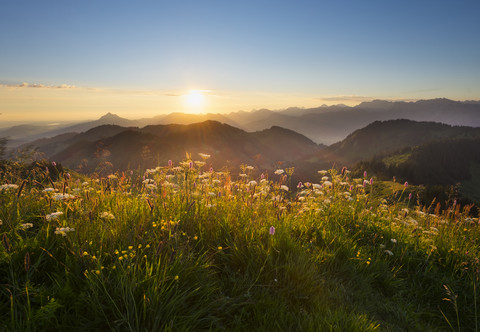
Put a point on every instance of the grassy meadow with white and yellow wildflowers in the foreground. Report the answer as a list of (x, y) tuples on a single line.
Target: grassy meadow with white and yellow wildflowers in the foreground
[(184, 247)]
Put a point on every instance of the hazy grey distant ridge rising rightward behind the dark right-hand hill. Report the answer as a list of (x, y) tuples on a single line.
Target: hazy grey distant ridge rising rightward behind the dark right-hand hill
[(332, 124)]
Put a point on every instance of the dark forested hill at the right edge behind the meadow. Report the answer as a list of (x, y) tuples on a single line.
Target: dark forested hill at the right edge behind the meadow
[(425, 153)]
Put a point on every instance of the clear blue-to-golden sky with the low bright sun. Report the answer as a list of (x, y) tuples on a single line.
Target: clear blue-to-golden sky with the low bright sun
[(74, 60)]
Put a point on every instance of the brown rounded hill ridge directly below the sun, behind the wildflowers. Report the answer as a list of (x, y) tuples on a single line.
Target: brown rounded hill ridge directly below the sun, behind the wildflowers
[(155, 145)]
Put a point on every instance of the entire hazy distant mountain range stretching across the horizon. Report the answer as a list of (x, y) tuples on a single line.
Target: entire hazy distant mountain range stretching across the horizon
[(323, 125)]
